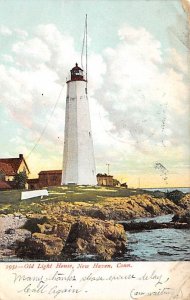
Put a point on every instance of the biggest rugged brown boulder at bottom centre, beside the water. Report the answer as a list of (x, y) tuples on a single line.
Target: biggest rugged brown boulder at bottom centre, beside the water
[(91, 236)]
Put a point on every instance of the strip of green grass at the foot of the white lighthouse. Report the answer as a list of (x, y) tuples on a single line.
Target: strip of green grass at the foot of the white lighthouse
[(10, 201)]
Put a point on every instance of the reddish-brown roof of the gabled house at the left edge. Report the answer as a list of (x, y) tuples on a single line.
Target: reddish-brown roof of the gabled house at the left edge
[(10, 166)]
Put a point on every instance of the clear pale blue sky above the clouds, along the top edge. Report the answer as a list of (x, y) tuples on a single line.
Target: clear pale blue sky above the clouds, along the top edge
[(105, 17)]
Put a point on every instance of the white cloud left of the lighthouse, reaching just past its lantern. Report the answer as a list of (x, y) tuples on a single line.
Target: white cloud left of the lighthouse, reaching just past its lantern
[(31, 86)]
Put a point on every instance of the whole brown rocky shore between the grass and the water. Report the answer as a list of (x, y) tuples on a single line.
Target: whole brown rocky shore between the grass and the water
[(63, 230)]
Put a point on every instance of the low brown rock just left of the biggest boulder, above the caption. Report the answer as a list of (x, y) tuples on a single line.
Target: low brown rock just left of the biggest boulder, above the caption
[(40, 246)]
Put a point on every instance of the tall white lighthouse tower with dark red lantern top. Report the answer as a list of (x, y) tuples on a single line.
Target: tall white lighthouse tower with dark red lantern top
[(78, 156)]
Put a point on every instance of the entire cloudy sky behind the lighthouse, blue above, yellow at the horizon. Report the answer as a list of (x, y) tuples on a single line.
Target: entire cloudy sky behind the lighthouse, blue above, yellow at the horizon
[(138, 84)]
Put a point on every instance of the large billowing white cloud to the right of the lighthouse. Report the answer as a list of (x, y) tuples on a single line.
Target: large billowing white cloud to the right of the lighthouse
[(144, 92)]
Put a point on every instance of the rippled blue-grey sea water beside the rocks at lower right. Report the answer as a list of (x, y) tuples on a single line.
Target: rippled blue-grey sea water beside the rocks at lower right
[(159, 244)]
